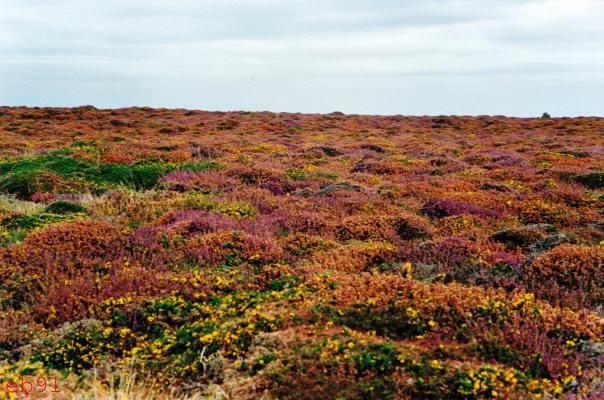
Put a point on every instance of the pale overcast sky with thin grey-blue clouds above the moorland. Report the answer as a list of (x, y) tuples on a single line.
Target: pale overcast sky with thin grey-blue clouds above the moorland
[(416, 57)]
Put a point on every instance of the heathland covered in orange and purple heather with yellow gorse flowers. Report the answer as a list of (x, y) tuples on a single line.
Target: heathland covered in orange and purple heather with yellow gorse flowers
[(303, 256)]
